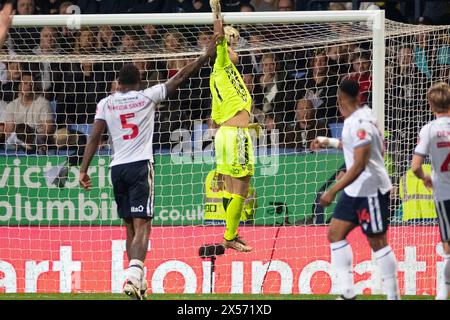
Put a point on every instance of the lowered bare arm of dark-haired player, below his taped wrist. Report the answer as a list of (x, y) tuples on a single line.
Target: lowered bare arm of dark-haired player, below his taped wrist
[(361, 157)]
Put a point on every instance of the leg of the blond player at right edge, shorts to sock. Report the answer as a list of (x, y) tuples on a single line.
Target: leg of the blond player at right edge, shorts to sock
[(443, 212)]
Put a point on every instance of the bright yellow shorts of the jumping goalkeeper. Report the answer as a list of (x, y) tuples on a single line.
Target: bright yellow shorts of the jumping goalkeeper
[(234, 152)]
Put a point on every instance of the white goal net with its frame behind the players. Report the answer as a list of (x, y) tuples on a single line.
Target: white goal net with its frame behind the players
[(56, 237)]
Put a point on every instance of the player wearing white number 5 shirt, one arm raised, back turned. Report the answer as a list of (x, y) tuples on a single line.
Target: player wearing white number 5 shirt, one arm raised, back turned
[(129, 115)]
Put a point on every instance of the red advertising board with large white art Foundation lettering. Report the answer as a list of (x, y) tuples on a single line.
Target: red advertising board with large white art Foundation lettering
[(92, 259)]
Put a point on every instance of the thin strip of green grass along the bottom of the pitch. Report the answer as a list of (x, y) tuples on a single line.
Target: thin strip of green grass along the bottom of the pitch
[(109, 296)]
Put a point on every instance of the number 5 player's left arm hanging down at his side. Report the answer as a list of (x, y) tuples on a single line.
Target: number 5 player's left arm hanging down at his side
[(91, 148)]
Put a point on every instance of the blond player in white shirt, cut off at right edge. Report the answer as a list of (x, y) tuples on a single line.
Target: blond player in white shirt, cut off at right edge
[(434, 141)]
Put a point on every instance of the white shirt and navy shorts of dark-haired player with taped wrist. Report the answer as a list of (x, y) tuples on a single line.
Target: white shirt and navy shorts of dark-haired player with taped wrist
[(365, 201)]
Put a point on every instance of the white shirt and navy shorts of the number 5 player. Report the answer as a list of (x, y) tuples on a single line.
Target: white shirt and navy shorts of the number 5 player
[(129, 117)]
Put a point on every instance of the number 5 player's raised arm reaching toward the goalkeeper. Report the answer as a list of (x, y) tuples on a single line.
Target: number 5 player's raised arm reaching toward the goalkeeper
[(173, 83)]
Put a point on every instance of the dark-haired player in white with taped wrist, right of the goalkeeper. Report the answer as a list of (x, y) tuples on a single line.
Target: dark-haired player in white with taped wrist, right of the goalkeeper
[(365, 197)]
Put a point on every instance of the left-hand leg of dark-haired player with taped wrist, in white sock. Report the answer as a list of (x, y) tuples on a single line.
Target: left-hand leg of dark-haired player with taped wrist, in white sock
[(341, 252)]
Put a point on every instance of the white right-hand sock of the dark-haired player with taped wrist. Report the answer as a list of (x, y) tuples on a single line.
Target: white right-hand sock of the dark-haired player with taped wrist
[(388, 266)]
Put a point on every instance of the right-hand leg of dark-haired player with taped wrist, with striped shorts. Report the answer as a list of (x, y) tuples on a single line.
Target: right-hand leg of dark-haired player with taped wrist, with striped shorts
[(375, 227)]
